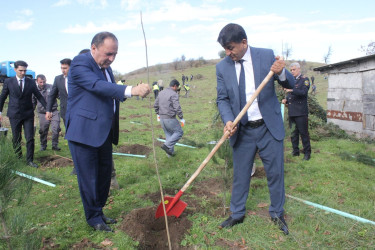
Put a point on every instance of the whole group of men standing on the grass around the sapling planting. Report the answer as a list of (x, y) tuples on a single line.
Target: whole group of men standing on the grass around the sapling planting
[(90, 103)]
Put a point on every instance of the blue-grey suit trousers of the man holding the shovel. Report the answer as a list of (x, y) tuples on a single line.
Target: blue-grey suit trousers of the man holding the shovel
[(249, 141)]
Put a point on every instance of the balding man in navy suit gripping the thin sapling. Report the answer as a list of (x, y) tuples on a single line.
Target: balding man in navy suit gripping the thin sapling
[(92, 123)]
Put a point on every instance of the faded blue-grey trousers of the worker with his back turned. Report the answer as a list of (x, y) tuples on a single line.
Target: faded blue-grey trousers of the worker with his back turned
[(173, 132)]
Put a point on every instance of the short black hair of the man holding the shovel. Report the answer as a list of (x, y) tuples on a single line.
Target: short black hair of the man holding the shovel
[(231, 33)]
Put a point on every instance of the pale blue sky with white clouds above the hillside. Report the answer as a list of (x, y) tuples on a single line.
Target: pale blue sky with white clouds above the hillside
[(44, 32)]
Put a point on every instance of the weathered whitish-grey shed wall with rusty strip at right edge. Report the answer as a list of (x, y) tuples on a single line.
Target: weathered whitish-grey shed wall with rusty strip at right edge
[(351, 98)]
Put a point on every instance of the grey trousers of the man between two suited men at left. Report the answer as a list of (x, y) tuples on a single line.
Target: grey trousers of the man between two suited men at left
[(44, 125)]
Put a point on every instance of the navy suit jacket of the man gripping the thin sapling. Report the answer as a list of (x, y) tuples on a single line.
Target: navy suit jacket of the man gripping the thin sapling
[(90, 115)]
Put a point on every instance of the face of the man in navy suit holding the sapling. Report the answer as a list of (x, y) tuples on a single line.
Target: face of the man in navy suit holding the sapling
[(106, 53)]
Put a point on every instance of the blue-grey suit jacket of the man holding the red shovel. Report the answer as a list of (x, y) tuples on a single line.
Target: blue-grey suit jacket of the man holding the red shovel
[(228, 99)]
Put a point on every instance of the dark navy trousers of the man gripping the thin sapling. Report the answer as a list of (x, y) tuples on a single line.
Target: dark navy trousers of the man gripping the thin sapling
[(94, 167)]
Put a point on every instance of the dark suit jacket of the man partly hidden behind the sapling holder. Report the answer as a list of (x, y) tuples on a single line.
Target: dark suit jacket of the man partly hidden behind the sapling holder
[(58, 90)]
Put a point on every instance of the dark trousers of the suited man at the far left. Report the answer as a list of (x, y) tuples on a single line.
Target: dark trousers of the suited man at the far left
[(28, 127)]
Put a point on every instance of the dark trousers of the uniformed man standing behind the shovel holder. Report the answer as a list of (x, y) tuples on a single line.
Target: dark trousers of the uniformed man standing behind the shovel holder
[(301, 128)]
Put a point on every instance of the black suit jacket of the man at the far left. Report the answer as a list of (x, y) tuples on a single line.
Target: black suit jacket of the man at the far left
[(20, 104)]
